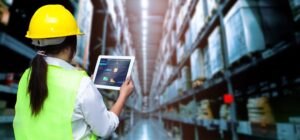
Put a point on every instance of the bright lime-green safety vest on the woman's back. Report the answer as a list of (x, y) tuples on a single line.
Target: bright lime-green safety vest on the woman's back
[(54, 122)]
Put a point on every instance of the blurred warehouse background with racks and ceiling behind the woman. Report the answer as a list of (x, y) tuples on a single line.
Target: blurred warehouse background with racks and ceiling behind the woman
[(205, 69)]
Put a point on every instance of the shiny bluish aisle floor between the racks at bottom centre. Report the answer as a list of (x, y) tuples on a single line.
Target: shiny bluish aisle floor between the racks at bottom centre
[(147, 129)]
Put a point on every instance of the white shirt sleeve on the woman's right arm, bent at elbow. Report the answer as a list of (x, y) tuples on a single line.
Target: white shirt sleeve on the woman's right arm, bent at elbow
[(101, 121)]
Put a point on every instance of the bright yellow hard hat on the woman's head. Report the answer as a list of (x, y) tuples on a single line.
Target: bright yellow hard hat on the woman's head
[(51, 21)]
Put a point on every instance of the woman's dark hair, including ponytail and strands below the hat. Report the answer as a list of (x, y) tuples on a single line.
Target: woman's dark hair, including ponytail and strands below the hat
[(37, 88)]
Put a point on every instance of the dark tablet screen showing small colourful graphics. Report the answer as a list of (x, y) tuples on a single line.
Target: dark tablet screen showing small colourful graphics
[(112, 72)]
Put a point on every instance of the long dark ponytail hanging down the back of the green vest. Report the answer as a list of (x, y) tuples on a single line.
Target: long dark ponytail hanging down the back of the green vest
[(37, 88)]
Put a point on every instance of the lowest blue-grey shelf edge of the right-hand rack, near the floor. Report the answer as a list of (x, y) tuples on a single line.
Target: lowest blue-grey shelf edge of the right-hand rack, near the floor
[(270, 131)]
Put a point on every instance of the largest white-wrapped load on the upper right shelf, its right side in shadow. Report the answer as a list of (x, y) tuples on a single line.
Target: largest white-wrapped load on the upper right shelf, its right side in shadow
[(252, 25)]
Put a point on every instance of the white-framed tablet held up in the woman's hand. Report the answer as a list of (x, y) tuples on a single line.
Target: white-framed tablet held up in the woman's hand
[(111, 71)]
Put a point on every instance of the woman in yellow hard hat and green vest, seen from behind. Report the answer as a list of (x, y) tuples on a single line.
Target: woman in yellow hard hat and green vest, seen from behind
[(55, 101)]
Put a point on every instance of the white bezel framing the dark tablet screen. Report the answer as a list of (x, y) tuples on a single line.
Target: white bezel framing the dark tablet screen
[(131, 58)]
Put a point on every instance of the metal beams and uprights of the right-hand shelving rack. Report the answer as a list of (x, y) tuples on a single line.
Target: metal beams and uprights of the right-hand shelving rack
[(234, 126)]
